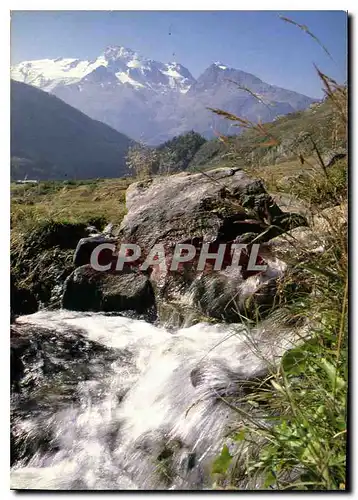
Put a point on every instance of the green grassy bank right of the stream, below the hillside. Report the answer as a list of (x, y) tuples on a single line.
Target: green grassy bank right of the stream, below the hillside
[(301, 443)]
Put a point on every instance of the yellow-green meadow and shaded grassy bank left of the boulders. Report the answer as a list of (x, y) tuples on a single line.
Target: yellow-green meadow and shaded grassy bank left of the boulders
[(47, 221)]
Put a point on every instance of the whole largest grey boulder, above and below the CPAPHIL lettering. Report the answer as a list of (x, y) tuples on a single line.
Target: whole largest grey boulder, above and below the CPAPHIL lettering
[(215, 207)]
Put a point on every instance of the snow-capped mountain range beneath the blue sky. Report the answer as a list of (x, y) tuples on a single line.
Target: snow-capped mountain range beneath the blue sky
[(153, 101)]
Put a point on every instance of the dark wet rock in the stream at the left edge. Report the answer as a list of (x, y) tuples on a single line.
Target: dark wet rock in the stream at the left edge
[(46, 368)]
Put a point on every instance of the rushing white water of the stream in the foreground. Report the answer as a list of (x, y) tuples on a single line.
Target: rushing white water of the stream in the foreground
[(155, 420)]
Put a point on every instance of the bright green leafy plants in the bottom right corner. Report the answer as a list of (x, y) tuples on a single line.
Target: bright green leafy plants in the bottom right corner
[(306, 448)]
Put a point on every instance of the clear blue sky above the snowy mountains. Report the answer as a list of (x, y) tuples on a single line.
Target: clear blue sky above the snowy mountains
[(254, 41)]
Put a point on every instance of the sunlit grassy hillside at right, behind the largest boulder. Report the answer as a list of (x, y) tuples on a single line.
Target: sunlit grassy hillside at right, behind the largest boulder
[(281, 140)]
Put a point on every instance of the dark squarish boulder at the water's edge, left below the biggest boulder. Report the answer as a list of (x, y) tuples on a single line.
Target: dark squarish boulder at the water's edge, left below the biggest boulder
[(89, 290)]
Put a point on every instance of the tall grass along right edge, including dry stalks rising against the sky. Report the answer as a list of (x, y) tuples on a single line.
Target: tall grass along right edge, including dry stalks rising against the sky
[(303, 401)]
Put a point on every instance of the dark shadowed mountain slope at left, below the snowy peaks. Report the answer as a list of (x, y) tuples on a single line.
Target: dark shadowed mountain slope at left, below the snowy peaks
[(52, 140)]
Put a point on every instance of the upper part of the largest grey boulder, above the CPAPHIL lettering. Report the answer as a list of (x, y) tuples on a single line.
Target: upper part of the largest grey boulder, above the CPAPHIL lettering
[(219, 204)]
